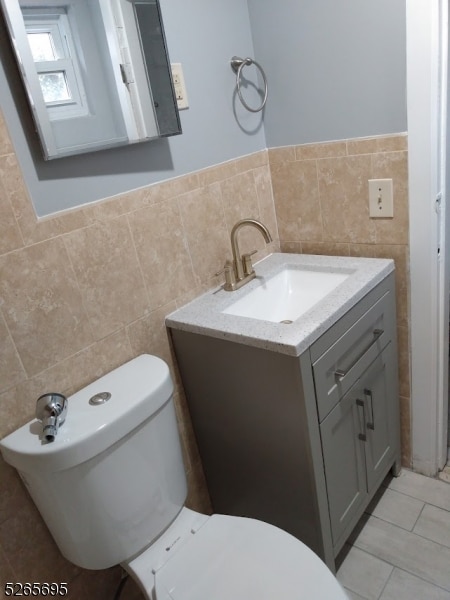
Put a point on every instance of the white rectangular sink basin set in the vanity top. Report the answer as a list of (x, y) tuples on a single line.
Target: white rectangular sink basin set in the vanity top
[(286, 296)]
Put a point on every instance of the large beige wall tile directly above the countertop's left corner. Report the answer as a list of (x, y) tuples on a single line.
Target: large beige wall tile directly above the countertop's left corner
[(163, 253)]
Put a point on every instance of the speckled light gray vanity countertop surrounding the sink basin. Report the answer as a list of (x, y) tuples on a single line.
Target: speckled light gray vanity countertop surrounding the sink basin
[(204, 314)]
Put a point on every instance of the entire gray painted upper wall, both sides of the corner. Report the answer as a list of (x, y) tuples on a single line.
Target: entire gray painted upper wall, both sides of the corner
[(336, 70)]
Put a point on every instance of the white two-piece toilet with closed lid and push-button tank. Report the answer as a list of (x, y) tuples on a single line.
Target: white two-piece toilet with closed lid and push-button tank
[(111, 488)]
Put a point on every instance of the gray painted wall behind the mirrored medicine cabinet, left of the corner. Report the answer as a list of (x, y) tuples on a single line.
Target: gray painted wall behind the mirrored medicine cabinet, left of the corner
[(203, 36)]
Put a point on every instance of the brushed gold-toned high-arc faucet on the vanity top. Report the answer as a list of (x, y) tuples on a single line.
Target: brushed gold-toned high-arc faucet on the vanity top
[(240, 271)]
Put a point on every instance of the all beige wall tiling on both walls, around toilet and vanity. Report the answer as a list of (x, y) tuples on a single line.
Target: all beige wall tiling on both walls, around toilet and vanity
[(84, 291)]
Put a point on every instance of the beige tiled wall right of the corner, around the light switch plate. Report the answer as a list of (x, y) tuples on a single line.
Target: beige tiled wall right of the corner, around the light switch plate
[(321, 199)]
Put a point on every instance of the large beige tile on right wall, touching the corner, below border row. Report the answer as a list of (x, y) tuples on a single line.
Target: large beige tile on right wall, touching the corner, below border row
[(296, 193)]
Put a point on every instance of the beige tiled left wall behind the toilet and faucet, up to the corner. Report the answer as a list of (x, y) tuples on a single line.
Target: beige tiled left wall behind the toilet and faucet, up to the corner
[(85, 291)]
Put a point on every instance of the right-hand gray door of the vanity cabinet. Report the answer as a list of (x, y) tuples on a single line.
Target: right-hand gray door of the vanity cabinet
[(376, 389)]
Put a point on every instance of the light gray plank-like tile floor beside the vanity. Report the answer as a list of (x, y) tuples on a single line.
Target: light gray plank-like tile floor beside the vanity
[(401, 549)]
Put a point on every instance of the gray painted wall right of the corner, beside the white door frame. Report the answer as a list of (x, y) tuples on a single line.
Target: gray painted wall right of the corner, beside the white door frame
[(336, 69)]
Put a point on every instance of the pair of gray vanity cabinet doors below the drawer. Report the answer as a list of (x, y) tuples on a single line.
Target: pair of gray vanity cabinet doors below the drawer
[(359, 443)]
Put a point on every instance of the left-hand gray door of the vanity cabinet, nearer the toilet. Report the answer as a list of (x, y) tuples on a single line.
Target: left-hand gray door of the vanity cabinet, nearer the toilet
[(343, 456)]
